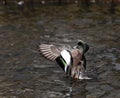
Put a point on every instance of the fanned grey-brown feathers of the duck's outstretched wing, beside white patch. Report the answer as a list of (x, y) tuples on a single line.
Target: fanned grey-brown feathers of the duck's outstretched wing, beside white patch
[(51, 52)]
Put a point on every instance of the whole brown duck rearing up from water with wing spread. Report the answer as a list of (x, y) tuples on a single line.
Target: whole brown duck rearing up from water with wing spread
[(71, 59)]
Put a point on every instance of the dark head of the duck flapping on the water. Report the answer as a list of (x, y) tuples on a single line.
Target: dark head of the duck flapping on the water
[(82, 46)]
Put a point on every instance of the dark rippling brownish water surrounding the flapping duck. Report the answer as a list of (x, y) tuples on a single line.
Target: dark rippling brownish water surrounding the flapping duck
[(24, 73)]
